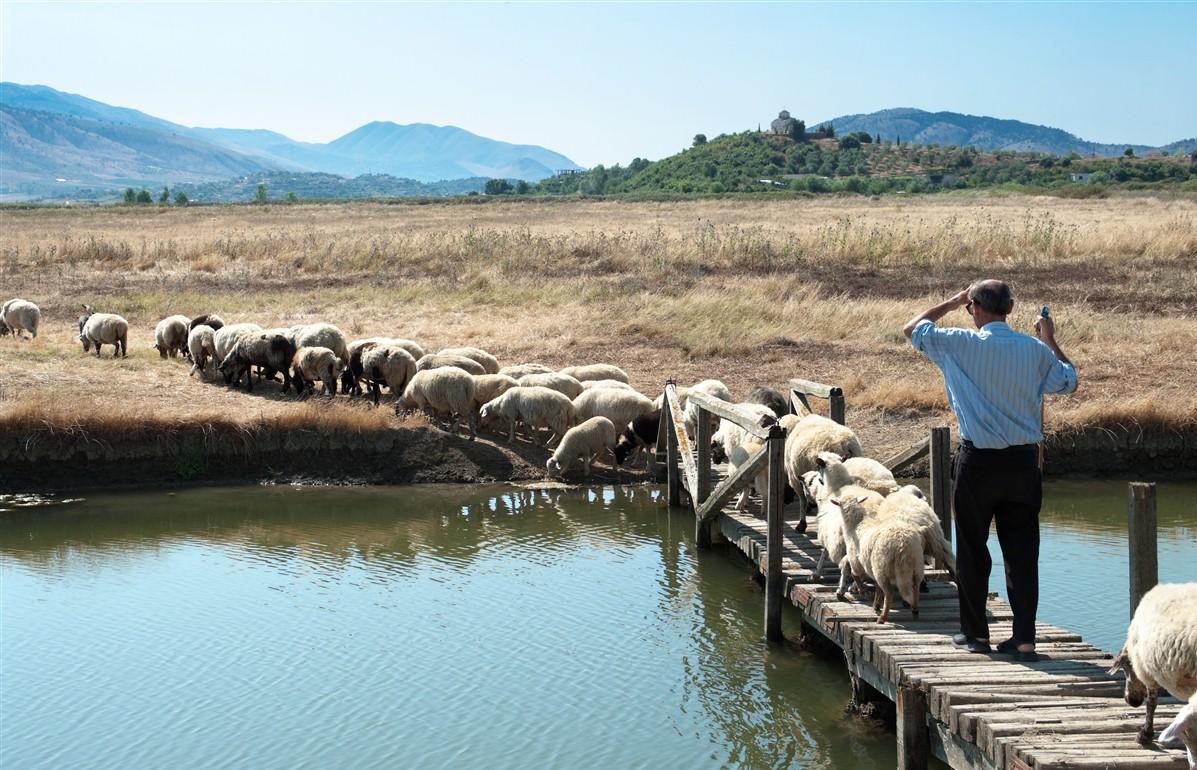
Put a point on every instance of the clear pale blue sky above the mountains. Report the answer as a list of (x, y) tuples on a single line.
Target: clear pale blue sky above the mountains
[(612, 82)]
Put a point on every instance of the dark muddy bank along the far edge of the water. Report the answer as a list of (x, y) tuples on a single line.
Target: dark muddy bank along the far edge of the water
[(72, 460)]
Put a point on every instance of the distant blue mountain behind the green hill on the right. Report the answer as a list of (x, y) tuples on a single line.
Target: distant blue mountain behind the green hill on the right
[(986, 134)]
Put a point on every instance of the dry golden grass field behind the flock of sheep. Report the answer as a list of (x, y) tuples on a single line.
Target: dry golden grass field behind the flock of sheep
[(750, 293)]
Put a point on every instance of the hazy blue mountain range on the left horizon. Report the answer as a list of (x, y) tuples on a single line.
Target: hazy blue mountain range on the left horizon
[(56, 141)]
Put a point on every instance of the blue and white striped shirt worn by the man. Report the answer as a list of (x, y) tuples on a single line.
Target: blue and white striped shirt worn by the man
[(997, 379)]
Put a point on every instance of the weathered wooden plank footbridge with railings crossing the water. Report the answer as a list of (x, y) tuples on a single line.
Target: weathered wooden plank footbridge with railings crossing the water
[(970, 711)]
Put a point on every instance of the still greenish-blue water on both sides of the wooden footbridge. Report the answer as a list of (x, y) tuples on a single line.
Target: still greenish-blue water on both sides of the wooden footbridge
[(446, 627)]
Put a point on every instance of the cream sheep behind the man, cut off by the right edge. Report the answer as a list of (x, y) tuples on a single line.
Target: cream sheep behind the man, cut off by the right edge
[(1160, 650)]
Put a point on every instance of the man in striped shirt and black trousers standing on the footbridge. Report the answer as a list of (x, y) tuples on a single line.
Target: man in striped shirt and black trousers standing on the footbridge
[(997, 379)]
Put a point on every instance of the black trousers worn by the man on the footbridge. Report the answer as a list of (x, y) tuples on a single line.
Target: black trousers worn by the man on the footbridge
[(1004, 487)]
